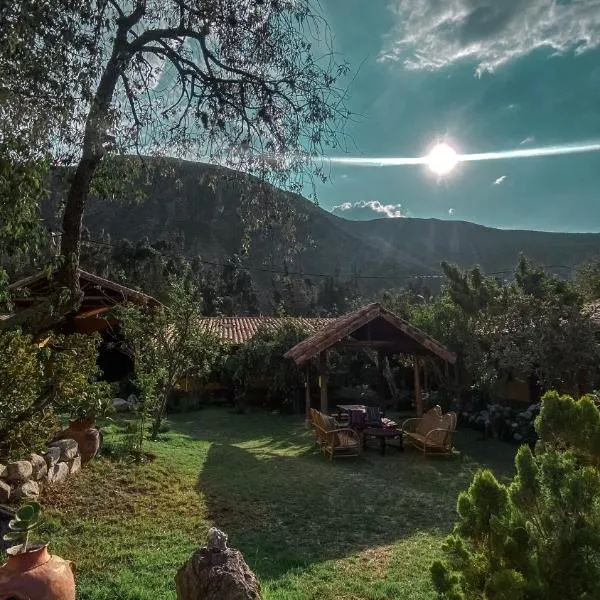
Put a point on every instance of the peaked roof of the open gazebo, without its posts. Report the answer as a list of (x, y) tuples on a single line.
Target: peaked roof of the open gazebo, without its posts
[(371, 326)]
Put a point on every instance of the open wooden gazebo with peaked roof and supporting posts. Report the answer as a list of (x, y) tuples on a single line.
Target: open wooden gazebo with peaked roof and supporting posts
[(371, 327)]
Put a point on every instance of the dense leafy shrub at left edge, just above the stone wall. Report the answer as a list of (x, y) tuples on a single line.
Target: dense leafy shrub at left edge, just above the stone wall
[(38, 384)]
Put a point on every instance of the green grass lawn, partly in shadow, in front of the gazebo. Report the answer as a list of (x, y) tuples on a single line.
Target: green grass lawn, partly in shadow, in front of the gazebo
[(364, 528)]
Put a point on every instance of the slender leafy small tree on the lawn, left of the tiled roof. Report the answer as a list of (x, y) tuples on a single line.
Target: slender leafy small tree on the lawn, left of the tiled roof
[(169, 345)]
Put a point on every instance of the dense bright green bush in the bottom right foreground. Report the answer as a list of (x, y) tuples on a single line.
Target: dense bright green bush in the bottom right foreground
[(539, 536)]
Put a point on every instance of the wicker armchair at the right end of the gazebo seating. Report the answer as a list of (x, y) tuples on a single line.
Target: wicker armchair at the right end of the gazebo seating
[(431, 433)]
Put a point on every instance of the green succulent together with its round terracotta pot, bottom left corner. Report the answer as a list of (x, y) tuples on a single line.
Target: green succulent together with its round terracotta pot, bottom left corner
[(31, 571)]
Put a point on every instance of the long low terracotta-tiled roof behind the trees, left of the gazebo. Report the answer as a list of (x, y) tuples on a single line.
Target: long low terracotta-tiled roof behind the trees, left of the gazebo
[(238, 330)]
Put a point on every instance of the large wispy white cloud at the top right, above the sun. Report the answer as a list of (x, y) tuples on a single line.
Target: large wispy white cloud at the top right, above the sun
[(431, 34)]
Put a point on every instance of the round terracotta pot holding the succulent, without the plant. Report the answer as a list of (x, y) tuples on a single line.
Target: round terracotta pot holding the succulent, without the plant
[(36, 574)]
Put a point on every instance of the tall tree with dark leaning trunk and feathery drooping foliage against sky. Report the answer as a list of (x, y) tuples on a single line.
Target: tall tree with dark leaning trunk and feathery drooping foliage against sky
[(253, 85)]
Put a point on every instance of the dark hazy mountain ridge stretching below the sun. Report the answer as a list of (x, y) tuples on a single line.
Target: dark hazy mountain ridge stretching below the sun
[(211, 212)]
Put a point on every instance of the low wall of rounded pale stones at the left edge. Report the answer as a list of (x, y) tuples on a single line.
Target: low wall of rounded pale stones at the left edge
[(23, 480)]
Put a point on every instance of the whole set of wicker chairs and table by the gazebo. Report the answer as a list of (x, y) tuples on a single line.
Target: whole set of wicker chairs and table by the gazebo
[(347, 433)]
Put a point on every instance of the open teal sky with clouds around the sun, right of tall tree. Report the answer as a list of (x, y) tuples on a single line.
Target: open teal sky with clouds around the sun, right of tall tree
[(482, 76)]
